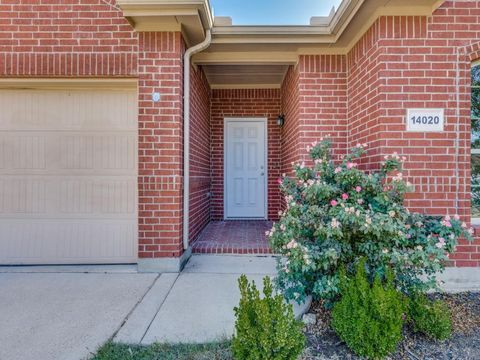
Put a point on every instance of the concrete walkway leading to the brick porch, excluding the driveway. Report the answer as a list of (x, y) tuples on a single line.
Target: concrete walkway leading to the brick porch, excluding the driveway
[(195, 306)]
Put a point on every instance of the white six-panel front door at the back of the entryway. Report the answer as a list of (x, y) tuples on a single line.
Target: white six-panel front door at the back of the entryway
[(245, 168)]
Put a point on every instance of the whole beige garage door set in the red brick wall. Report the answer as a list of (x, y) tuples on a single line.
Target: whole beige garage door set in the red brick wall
[(68, 169)]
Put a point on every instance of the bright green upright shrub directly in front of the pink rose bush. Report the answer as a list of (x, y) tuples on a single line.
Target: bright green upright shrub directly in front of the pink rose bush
[(369, 318)]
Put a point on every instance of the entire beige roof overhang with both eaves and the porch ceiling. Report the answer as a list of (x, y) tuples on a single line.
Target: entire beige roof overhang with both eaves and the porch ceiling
[(256, 46)]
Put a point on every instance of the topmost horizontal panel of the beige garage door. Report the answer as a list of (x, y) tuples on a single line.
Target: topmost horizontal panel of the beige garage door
[(86, 109)]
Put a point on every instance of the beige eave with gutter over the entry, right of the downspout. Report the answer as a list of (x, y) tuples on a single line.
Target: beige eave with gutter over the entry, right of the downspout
[(336, 34)]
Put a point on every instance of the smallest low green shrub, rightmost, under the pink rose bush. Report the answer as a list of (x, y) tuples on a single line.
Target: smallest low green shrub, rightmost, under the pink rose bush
[(432, 318)]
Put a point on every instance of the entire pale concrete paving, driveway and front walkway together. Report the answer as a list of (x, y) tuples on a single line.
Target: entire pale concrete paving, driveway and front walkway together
[(67, 312)]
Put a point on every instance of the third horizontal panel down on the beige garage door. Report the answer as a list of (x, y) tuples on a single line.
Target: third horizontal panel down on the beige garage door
[(68, 196)]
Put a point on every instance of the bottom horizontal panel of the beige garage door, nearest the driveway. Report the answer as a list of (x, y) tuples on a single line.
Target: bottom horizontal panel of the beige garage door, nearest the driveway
[(63, 242)]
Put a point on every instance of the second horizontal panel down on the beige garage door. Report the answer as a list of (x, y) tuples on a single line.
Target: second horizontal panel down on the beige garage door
[(67, 152)]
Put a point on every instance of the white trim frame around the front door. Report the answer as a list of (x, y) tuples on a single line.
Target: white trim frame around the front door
[(265, 178)]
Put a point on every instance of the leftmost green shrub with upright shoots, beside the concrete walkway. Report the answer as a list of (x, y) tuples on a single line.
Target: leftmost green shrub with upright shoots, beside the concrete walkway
[(266, 328)]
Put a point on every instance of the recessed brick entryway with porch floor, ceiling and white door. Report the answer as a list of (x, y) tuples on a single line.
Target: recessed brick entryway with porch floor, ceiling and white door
[(236, 157)]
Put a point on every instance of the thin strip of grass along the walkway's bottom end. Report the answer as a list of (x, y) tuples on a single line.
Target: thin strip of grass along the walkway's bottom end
[(213, 351)]
